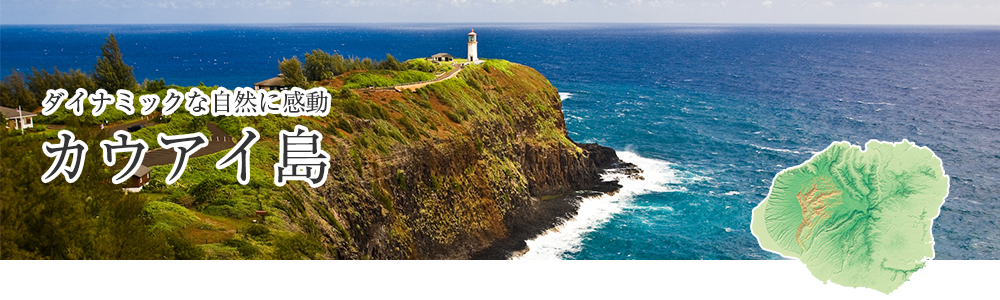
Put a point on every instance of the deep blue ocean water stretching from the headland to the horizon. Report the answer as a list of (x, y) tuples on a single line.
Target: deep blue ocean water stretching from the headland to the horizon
[(712, 112)]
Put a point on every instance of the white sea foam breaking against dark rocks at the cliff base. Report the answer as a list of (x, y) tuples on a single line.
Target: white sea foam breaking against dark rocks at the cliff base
[(658, 177)]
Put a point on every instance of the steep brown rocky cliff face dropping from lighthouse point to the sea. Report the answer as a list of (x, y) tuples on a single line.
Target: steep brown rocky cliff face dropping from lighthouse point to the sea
[(448, 171)]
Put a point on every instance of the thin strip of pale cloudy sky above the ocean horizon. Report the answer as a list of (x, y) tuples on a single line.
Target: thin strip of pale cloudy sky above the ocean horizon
[(920, 12)]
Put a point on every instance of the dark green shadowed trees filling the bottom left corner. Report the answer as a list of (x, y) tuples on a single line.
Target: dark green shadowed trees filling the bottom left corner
[(88, 219)]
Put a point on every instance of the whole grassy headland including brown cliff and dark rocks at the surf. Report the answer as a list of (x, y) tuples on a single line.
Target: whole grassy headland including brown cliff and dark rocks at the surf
[(440, 173)]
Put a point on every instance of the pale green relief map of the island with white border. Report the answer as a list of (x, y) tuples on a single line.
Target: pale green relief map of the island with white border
[(857, 218)]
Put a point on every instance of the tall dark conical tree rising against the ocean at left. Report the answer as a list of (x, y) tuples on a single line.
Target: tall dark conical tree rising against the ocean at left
[(111, 73)]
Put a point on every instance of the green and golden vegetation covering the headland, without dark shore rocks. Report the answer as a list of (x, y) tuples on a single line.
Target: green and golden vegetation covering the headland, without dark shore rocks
[(378, 141)]
